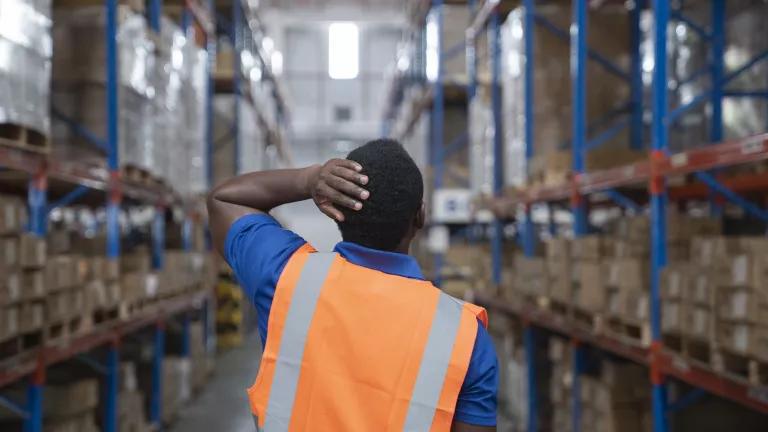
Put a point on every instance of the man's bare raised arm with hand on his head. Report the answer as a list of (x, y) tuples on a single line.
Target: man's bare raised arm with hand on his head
[(334, 183)]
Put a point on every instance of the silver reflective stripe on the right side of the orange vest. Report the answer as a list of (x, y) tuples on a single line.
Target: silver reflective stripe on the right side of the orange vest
[(434, 365)]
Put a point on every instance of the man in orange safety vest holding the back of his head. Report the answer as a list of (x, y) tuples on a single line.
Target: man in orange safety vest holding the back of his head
[(355, 340)]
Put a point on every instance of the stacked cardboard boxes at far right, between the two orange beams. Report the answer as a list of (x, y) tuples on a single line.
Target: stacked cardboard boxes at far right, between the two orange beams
[(718, 300)]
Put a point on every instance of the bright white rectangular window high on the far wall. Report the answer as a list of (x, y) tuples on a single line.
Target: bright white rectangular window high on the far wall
[(343, 51)]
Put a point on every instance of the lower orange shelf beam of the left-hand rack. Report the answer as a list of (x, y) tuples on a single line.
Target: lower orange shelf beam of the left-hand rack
[(17, 368)]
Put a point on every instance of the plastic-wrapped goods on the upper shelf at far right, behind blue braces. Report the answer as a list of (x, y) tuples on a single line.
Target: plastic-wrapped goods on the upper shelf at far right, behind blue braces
[(688, 54)]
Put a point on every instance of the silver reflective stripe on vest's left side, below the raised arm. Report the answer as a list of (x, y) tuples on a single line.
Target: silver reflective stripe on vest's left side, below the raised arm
[(297, 322)]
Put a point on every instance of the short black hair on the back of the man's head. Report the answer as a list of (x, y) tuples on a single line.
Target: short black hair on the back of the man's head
[(397, 191)]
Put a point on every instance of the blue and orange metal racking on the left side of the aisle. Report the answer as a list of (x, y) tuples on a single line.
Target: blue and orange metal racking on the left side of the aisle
[(72, 180)]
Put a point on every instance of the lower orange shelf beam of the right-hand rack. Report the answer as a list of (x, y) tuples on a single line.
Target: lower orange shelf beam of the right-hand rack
[(739, 391)]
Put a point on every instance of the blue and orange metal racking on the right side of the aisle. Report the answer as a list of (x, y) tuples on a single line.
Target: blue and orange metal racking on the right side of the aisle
[(649, 176)]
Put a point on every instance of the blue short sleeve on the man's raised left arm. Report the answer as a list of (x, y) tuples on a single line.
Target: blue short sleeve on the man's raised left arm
[(258, 248)]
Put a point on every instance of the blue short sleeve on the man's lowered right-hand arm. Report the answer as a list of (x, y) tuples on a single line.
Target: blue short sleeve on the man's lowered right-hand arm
[(477, 399)]
